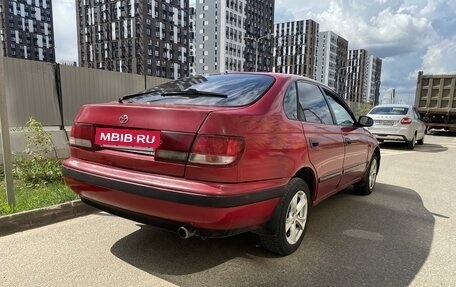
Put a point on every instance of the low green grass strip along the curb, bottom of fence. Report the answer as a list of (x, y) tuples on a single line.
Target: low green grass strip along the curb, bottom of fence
[(30, 197)]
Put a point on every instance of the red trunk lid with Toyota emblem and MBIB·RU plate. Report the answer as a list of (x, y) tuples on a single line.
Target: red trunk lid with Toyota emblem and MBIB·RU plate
[(142, 137)]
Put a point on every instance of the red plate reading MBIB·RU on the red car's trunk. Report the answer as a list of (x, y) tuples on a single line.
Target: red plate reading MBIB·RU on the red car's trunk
[(127, 138)]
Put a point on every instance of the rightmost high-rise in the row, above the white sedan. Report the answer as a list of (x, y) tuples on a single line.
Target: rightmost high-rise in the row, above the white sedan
[(363, 77)]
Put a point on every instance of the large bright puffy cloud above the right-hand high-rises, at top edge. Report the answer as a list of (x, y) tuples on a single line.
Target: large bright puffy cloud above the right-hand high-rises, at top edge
[(383, 29)]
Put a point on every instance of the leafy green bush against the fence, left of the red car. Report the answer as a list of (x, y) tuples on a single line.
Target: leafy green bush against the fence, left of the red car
[(40, 164)]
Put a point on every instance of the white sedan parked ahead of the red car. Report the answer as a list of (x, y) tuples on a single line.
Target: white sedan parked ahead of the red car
[(397, 123)]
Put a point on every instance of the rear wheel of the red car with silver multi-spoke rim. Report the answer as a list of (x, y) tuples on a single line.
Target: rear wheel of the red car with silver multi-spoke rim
[(290, 219)]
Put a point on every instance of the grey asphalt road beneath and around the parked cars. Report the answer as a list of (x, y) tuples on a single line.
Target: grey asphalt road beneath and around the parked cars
[(401, 235)]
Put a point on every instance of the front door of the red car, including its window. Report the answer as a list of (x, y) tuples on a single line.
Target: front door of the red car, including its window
[(355, 142)]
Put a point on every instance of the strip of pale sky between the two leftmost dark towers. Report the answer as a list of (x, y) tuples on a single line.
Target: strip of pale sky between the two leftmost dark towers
[(64, 13)]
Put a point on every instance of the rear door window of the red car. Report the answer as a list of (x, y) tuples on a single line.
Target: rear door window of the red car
[(313, 107)]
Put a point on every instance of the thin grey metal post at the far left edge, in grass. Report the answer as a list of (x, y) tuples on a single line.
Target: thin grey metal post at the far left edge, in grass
[(5, 139)]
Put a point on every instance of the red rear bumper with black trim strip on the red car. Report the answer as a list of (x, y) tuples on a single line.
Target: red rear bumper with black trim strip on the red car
[(152, 199)]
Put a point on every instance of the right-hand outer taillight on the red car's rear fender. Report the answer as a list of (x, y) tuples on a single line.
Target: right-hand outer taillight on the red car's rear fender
[(216, 150)]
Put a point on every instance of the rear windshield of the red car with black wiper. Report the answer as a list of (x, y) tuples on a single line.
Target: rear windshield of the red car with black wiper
[(211, 90)]
